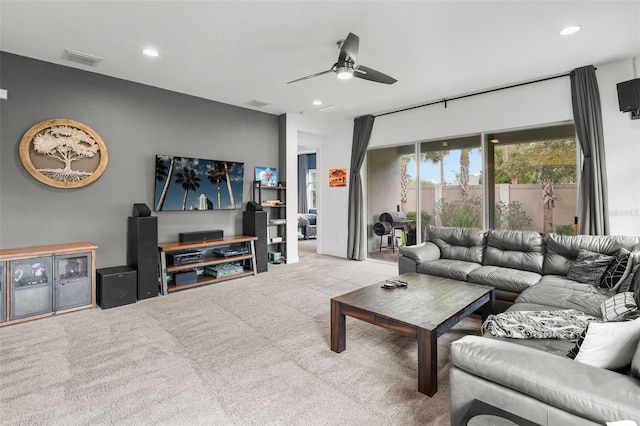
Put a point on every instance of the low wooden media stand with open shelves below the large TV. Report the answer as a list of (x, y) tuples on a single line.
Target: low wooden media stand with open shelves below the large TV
[(248, 261)]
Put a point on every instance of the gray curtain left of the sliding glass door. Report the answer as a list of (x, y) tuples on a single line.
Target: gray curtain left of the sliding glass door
[(356, 242)]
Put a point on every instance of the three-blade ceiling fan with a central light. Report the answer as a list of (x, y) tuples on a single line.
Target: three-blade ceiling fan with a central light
[(346, 68)]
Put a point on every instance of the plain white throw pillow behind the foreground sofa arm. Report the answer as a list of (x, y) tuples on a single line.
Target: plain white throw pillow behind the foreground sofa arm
[(610, 345)]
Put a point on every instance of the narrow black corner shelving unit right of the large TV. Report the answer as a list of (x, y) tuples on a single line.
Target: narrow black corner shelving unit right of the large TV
[(275, 206)]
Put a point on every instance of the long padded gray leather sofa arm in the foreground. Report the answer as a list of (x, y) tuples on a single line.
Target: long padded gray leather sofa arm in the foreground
[(594, 393)]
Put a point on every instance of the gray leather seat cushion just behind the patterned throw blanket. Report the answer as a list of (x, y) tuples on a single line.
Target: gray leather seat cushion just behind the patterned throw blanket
[(559, 292)]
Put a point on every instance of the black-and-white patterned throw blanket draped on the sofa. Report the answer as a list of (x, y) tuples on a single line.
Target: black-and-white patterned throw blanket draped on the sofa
[(563, 324)]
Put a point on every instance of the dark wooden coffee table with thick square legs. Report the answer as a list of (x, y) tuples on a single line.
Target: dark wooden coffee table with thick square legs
[(426, 309)]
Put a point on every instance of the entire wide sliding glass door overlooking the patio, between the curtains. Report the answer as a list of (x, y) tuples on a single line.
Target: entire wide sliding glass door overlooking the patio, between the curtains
[(519, 180)]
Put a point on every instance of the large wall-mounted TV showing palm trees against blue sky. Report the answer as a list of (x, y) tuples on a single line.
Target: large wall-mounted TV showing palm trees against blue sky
[(184, 183)]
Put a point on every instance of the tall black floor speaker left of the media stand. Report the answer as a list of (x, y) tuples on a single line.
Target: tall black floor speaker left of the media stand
[(142, 253)]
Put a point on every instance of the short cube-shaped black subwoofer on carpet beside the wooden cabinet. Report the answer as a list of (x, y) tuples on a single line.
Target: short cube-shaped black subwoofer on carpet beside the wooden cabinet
[(115, 286)]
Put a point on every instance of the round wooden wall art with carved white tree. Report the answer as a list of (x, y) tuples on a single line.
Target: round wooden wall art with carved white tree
[(63, 153)]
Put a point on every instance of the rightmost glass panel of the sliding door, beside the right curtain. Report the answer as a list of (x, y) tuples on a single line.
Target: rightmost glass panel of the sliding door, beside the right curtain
[(534, 179)]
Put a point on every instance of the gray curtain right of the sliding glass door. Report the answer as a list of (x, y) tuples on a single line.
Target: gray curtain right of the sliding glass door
[(593, 208)]
